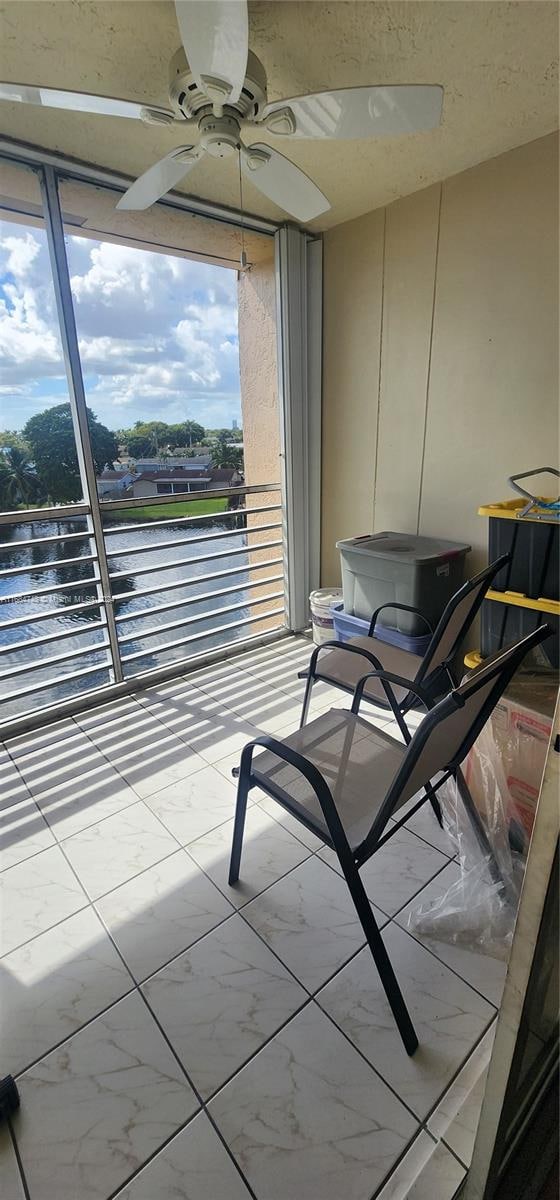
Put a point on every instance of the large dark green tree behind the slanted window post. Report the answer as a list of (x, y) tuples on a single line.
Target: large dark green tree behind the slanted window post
[(51, 436)]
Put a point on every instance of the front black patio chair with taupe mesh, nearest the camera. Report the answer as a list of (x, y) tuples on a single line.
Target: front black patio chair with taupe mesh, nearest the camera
[(344, 779)]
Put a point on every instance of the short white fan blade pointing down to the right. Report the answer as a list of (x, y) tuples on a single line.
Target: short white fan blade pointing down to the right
[(284, 183)]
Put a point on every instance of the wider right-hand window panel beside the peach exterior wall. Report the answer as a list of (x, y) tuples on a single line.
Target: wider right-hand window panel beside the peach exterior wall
[(179, 361)]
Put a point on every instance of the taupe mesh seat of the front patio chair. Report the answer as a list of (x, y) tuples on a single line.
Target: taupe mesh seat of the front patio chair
[(357, 760)]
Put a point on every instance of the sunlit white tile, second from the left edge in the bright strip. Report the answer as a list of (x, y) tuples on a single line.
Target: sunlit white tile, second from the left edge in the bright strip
[(118, 849)]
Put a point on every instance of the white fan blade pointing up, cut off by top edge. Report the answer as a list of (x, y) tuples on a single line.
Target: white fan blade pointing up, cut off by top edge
[(216, 39)]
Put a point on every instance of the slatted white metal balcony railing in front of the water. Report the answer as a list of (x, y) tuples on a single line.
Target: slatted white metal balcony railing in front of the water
[(220, 578)]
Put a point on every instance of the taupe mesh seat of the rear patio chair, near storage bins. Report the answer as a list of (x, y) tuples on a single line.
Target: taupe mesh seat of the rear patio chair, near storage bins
[(346, 670)]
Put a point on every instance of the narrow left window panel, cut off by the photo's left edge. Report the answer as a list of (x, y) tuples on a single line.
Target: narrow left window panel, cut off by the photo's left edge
[(49, 604)]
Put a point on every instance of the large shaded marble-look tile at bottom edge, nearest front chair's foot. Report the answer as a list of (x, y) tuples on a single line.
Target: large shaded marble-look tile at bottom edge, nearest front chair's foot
[(309, 1118)]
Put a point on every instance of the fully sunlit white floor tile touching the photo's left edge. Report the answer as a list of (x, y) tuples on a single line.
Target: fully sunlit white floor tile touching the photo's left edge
[(37, 895)]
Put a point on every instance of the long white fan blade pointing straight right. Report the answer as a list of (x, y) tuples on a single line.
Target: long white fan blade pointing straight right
[(358, 112)]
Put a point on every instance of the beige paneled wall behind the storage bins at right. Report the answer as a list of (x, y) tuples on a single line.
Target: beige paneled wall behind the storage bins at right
[(441, 352)]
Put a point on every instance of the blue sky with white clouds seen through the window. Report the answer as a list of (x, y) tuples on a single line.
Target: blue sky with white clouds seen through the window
[(158, 334)]
